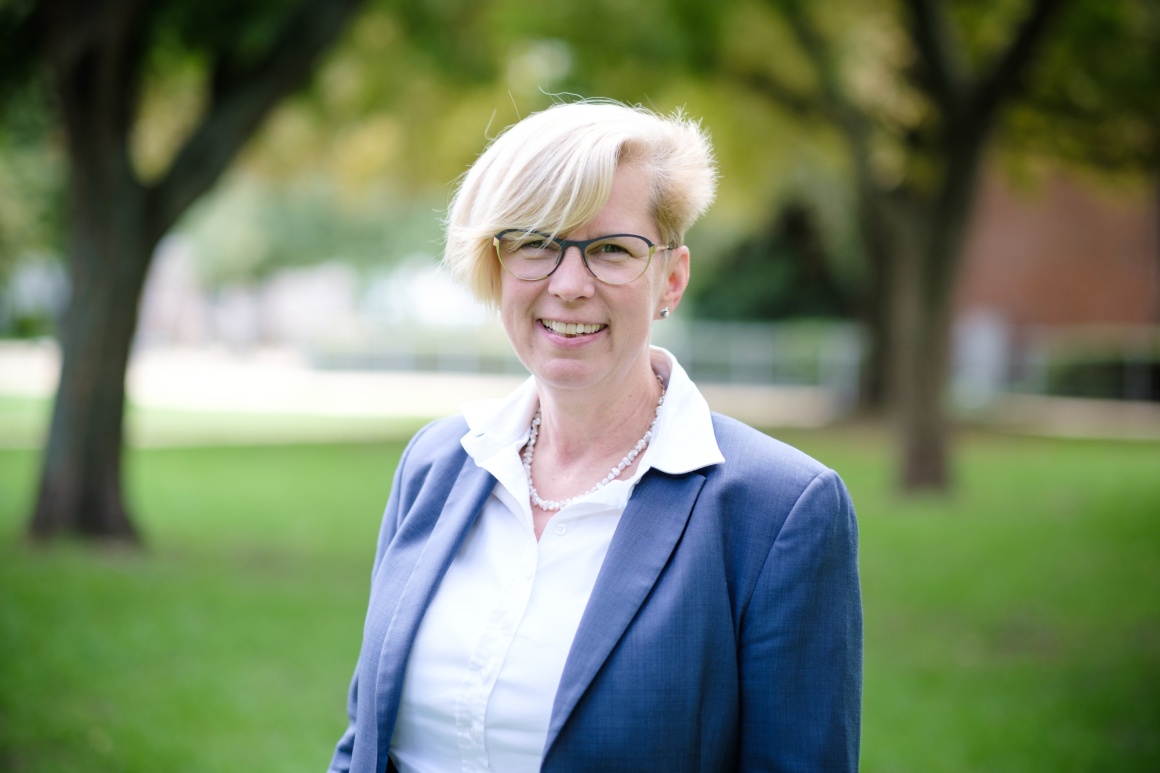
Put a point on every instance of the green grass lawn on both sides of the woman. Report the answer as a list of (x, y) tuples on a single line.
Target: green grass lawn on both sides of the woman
[(1014, 627)]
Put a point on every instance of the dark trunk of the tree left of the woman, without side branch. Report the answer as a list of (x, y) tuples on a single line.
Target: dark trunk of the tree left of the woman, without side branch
[(96, 50)]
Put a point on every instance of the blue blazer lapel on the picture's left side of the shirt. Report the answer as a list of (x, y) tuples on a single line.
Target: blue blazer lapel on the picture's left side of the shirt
[(453, 518)]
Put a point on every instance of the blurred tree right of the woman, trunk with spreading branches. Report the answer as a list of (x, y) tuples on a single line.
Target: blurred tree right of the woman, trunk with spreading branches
[(933, 128)]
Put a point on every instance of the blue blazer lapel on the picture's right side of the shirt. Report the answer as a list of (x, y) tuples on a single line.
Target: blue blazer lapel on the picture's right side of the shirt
[(646, 538)]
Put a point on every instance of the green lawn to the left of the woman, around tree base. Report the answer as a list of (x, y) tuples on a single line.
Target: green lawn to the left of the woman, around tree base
[(226, 647)]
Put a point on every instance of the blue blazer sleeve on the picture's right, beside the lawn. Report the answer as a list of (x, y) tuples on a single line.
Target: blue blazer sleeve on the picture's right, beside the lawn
[(801, 641)]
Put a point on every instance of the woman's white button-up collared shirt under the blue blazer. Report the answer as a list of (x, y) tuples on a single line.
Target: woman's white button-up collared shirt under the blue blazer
[(491, 648)]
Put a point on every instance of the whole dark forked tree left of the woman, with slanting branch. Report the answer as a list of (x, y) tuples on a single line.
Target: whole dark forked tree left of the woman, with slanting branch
[(99, 54)]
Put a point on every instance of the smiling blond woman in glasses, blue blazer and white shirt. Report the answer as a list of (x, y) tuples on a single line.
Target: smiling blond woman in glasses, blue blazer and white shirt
[(598, 574)]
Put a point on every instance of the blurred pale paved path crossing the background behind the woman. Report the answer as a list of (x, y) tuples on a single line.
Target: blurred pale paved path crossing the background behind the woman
[(279, 384)]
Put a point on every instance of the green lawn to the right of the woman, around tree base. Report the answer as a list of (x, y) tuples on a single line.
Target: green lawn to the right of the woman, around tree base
[(1018, 626)]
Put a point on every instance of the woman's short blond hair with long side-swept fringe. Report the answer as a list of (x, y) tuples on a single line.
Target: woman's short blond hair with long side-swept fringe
[(553, 172)]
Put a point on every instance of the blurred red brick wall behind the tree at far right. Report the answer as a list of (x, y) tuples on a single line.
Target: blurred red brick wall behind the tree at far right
[(1063, 254)]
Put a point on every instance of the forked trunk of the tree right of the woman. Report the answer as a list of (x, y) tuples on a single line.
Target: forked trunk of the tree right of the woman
[(968, 111)]
